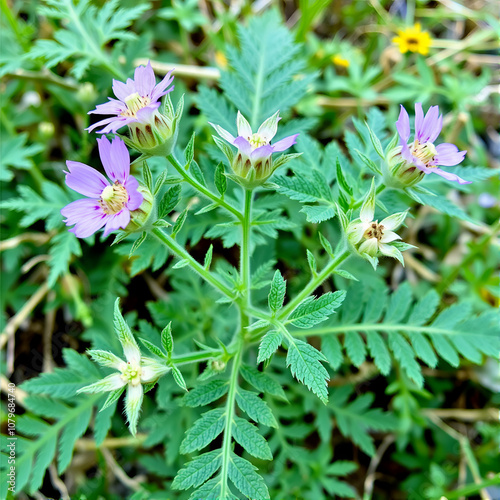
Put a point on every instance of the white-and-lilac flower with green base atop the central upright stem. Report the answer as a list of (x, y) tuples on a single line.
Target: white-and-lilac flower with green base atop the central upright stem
[(254, 156)]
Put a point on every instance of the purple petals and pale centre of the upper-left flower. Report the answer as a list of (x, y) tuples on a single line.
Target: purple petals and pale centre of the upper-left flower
[(138, 100)]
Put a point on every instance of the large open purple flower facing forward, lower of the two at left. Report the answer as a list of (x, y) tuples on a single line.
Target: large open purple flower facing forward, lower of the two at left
[(107, 204)]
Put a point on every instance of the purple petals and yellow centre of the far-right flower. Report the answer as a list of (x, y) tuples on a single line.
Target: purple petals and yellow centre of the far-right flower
[(422, 152)]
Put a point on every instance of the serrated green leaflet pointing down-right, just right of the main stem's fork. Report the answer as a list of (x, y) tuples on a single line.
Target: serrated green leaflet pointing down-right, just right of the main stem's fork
[(304, 362)]
